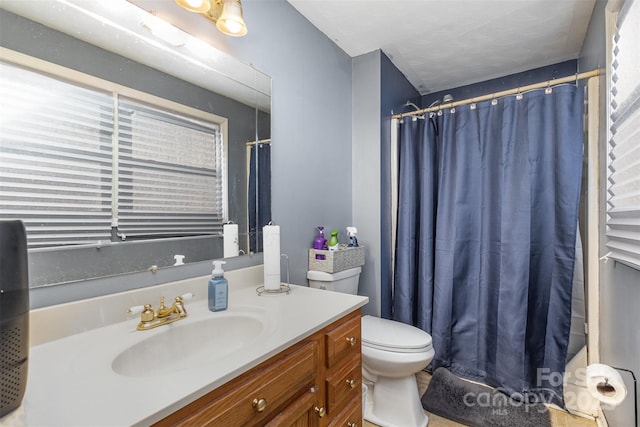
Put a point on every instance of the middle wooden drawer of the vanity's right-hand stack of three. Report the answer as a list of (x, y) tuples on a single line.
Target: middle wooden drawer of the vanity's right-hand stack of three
[(344, 384)]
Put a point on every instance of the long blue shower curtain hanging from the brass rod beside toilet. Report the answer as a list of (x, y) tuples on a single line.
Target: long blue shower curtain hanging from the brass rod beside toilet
[(487, 214)]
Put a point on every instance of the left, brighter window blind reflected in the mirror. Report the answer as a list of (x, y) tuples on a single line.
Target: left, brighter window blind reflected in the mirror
[(55, 158)]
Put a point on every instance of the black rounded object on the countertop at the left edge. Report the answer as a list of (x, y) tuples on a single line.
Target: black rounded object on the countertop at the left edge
[(14, 315)]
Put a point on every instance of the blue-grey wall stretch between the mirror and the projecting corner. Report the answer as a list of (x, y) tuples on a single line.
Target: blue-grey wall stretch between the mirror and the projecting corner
[(311, 123)]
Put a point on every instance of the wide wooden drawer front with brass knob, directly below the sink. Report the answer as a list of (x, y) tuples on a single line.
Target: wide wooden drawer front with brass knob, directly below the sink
[(275, 386)]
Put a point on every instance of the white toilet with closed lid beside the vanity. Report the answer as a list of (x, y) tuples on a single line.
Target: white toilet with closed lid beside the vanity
[(392, 353)]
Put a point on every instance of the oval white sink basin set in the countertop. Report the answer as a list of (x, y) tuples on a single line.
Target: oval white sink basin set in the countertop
[(185, 346)]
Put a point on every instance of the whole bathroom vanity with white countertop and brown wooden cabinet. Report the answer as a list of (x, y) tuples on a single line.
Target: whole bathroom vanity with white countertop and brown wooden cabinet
[(288, 359)]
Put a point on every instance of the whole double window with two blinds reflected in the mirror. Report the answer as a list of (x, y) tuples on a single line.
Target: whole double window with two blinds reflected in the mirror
[(80, 165)]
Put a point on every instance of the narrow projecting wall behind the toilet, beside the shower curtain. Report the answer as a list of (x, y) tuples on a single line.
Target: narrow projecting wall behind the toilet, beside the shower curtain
[(379, 90)]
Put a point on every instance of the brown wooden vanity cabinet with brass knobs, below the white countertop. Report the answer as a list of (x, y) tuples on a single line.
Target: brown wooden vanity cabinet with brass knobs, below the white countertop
[(315, 382)]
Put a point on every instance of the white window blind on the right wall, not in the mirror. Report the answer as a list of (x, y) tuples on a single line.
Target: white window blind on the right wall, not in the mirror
[(623, 192)]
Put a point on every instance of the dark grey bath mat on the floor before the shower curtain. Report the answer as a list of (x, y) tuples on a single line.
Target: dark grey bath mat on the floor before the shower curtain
[(478, 405)]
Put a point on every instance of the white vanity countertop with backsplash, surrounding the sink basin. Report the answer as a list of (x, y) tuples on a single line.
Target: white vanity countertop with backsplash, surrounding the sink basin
[(71, 381)]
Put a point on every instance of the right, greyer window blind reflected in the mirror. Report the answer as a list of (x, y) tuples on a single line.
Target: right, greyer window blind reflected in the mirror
[(170, 171)]
